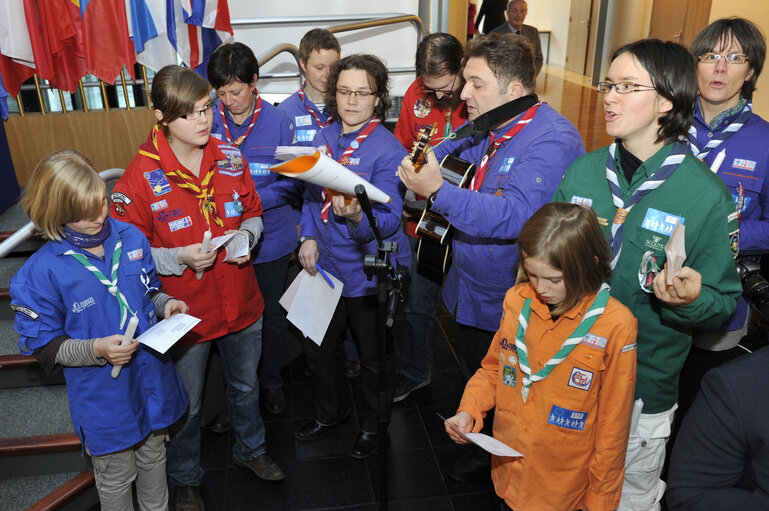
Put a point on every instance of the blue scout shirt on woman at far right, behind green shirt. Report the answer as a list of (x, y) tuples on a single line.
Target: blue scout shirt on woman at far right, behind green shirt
[(747, 164)]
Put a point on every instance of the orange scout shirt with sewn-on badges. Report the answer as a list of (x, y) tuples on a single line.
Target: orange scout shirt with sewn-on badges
[(573, 428)]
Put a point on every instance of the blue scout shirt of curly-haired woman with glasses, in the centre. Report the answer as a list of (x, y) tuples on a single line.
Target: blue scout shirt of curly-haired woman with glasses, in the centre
[(341, 247)]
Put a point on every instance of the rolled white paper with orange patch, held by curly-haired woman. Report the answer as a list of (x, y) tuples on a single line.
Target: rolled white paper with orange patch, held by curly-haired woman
[(317, 168)]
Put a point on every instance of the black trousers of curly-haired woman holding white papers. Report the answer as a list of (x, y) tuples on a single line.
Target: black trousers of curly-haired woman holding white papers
[(326, 362)]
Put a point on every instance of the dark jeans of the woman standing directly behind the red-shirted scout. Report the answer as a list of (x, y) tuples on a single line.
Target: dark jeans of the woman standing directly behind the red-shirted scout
[(271, 277)]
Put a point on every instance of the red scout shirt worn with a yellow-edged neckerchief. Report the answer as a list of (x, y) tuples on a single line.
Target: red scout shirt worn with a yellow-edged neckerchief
[(227, 298)]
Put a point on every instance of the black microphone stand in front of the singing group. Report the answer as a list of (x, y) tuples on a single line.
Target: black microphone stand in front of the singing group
[(381, 266)]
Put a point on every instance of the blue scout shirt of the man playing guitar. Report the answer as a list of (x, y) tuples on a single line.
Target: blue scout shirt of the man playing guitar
[(522, 176)]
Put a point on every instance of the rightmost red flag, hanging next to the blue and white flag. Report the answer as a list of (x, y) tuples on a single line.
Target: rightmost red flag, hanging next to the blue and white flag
[(107, 45)]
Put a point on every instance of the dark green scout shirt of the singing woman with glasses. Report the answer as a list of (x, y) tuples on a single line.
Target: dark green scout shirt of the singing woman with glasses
[(699, 200)]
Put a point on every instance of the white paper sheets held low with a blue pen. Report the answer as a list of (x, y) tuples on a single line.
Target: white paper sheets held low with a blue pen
[(310, 303)]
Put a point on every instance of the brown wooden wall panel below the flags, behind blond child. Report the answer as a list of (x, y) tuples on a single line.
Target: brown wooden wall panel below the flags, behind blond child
[(109, 139)]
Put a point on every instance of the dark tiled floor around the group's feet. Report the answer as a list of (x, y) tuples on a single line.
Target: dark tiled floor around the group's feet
[(321, 474)]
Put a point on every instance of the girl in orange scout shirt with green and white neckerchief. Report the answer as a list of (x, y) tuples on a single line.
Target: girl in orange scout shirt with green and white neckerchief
[(560, 371)]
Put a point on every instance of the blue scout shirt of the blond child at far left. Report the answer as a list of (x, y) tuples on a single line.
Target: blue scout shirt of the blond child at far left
[(54, 295)]
